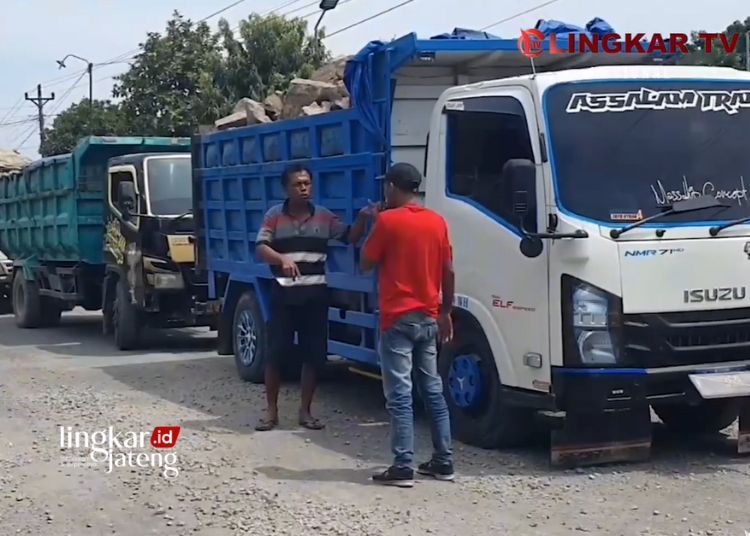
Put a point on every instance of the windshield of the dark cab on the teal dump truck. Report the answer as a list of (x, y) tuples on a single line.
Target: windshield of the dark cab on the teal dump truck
[(169, 186)]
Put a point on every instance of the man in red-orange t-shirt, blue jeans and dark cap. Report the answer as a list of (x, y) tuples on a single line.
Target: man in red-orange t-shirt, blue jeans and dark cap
[(409, 244)]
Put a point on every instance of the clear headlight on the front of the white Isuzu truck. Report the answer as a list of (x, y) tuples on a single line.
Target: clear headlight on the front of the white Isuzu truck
[(592, 326)]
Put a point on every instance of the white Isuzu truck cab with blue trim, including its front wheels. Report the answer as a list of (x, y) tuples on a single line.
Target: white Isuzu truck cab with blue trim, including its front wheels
[(601, 227)]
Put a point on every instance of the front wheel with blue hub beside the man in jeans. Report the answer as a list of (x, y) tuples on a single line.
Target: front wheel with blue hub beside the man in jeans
[(479, 414)]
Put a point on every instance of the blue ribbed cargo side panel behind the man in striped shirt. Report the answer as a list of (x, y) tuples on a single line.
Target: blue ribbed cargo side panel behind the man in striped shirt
[(242, 180)]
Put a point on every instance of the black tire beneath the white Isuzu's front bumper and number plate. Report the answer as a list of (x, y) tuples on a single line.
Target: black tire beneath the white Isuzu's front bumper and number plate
[(710, 417)]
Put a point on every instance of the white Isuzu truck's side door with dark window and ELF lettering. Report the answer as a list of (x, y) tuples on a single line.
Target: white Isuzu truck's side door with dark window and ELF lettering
[(506, 292)]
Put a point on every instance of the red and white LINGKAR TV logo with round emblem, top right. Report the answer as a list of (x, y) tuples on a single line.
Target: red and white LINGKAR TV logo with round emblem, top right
[(530, 43)]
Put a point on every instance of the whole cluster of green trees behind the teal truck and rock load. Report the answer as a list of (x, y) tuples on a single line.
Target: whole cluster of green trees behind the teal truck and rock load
[(191, 76)]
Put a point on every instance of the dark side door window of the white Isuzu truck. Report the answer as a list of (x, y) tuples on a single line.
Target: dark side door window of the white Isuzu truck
[(479, 143)]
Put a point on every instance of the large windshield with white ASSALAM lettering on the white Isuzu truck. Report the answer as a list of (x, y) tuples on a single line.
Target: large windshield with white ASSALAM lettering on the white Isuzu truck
[(621, 151)]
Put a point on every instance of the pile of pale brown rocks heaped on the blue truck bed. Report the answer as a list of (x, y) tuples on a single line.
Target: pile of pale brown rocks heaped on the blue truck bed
[(323, 92)]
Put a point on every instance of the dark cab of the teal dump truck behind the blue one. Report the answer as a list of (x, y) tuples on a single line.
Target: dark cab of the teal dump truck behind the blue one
[(148, 246)]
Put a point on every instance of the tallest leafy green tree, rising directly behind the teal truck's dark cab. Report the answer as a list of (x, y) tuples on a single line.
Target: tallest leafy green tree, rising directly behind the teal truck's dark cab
[(171, 88)]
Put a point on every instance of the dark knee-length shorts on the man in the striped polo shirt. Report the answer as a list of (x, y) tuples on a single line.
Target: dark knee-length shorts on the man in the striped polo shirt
[(309, 321)]
